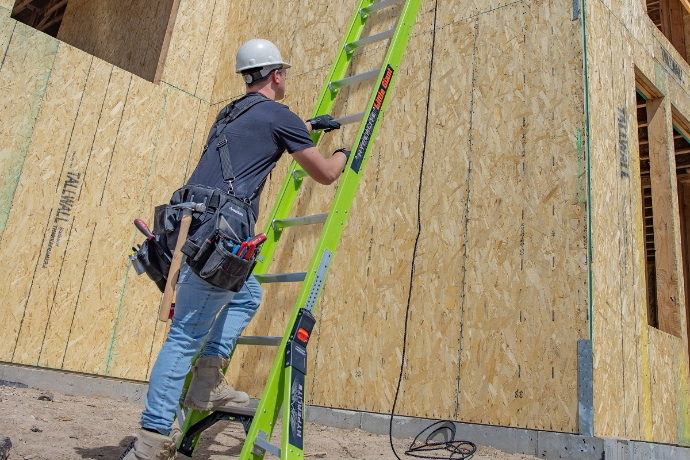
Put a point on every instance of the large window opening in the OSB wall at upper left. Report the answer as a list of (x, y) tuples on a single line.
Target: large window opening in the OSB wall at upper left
[(131, 34)]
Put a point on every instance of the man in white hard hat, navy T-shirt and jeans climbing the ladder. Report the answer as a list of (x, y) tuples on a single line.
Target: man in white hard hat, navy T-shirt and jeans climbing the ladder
[(256, 141)]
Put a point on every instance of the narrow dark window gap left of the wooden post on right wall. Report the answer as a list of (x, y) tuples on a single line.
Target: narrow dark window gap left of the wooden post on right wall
[(647, 212)]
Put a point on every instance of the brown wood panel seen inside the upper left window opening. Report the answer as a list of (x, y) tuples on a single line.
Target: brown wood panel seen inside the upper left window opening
[(129, 34)]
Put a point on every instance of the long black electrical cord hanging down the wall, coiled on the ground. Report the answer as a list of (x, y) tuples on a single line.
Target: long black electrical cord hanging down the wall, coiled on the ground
[(459, 450)]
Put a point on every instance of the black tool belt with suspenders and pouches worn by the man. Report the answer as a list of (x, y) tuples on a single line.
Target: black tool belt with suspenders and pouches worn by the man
[(226, 222)]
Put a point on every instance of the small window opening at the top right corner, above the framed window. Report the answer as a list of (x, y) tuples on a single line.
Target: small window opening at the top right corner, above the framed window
[(672, 18)]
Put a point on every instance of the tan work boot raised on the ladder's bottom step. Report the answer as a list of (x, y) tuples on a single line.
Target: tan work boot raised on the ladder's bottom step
[(207, 390)]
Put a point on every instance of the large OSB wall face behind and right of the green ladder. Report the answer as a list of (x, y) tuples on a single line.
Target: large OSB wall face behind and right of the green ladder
[(372, 295)]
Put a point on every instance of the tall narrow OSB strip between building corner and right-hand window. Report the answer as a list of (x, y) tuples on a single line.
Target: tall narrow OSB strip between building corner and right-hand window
[(608, 359)]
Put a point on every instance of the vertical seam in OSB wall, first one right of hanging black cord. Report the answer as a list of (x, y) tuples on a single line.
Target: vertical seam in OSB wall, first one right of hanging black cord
[(467, 213)]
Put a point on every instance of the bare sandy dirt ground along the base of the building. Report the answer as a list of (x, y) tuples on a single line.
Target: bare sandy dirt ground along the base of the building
[(71, 427)]
